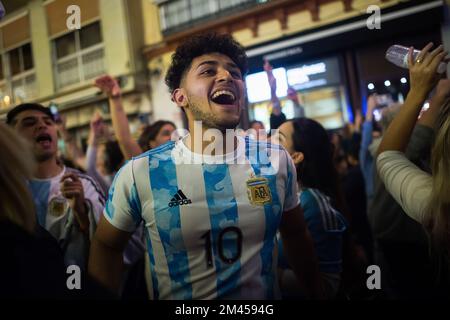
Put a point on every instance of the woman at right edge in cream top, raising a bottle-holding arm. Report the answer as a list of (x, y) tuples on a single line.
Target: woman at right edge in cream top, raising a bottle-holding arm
[(424, 197)]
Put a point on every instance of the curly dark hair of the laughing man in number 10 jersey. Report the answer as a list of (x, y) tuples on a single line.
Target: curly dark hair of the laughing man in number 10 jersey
[(199, 45)]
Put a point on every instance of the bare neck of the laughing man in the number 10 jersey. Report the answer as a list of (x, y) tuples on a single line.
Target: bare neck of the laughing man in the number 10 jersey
[(205, 144)]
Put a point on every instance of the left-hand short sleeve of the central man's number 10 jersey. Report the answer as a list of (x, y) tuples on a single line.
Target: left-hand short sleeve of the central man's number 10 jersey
[(123, 208)]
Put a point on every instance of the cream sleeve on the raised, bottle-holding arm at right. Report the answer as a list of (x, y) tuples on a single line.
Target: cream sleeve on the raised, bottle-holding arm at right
[(410, 186)]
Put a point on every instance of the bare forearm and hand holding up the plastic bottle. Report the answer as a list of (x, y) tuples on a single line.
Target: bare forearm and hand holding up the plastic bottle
[(423, 77)]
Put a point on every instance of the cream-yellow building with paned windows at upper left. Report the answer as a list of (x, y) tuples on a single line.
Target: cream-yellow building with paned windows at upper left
[(45, 59)]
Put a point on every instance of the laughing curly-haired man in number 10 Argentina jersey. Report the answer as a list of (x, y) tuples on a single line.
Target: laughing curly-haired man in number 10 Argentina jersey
[(210, 217)]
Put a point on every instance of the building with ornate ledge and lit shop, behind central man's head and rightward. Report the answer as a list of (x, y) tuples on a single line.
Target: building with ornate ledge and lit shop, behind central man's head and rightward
[(324, 49)]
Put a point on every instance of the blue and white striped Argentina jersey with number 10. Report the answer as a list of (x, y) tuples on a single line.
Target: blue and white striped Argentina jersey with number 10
[(210, 227)]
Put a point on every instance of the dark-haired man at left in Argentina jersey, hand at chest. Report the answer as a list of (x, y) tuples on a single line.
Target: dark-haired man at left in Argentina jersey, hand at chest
[(68, 203)]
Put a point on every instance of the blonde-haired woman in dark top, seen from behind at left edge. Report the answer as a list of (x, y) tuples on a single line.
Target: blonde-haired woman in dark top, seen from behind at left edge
[(32, 263)]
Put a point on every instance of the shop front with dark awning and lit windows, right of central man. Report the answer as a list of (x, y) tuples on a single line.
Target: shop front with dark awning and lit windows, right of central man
[(333, 68)]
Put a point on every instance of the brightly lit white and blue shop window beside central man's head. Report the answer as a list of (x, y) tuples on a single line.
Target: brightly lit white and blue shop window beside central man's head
[(319, 88)]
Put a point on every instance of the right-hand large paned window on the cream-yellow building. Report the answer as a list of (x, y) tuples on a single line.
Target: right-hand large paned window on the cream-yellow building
[(79, 55)]
